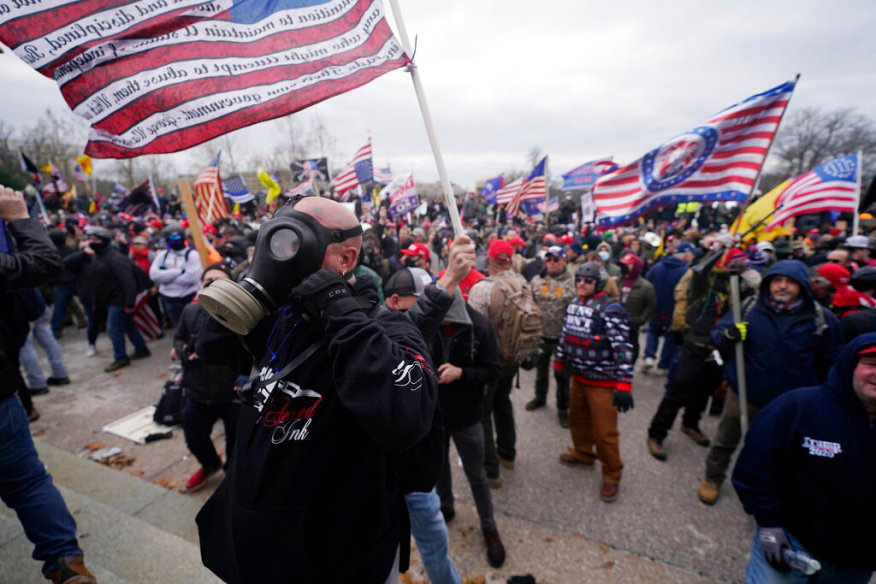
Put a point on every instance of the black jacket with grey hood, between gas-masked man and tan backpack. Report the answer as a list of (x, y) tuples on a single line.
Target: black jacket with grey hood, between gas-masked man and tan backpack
[(475, 350)]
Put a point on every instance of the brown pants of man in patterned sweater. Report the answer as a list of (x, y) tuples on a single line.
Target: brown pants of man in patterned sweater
[(593, 424)]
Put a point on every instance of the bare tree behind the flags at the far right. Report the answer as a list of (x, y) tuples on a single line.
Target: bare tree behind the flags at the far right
[(811, 136)]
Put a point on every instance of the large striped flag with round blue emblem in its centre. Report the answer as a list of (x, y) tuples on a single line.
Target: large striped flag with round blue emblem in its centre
[(716, 161)]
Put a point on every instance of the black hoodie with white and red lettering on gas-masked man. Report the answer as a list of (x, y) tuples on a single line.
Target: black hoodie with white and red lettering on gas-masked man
[(313, 493)]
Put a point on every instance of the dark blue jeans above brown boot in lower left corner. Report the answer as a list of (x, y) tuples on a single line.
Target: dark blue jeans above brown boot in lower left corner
[(27, 488)]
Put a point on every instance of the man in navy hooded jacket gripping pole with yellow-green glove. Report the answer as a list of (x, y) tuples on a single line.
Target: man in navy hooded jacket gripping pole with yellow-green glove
[(789, 341)]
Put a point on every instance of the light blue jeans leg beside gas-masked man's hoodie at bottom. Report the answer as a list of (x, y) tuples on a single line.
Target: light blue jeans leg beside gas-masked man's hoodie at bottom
[(430, 533)]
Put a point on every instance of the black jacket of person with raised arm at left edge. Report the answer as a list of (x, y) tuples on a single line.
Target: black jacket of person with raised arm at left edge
[(32, 260)]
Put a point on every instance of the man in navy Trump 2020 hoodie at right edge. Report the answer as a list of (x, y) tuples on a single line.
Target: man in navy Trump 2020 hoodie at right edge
[(808, 475)]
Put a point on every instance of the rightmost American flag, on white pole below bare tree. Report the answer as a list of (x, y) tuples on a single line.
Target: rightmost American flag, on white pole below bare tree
[(832, 186)]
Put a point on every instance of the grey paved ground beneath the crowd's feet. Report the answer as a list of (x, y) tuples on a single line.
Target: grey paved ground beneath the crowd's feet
[(550, 517)]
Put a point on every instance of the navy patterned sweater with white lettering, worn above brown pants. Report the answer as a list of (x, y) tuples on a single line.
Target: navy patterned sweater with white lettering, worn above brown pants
[(595, 345)]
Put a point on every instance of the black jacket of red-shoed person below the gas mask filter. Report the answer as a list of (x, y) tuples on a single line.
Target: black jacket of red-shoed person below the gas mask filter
[(206, 383)]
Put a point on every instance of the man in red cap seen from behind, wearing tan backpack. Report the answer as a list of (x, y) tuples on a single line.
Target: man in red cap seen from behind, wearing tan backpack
[(492, 297)]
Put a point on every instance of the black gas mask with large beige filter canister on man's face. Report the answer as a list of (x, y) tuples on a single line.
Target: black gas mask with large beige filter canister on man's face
[(289, 247)]
